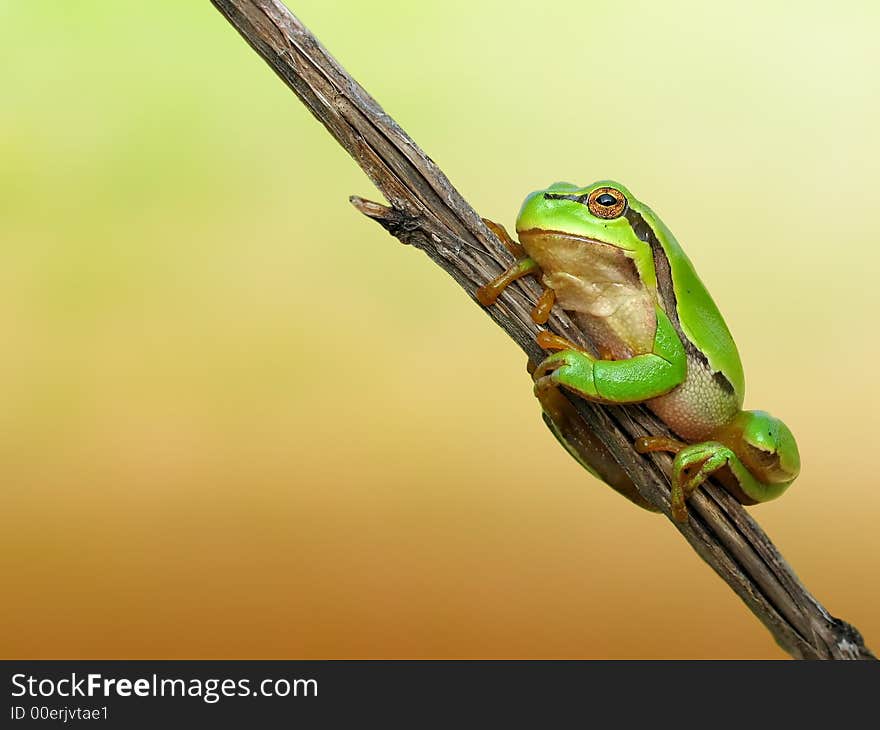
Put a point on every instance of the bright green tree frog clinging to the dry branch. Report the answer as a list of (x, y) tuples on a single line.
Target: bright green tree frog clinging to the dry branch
[(606, 258)]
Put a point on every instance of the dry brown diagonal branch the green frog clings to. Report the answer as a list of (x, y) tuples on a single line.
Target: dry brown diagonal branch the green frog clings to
[(428, 213)]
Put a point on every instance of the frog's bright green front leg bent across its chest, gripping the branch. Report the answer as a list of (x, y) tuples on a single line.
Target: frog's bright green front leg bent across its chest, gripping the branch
[(631, 380)]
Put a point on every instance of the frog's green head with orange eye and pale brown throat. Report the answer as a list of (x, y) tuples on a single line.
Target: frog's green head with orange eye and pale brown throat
[(566, 228)]
